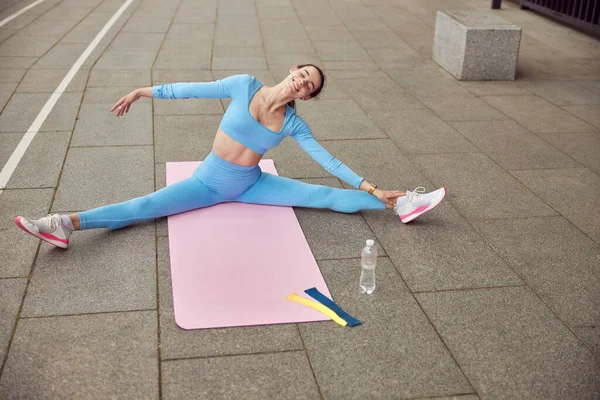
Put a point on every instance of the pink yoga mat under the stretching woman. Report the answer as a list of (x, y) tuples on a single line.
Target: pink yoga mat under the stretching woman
[(233, 264)]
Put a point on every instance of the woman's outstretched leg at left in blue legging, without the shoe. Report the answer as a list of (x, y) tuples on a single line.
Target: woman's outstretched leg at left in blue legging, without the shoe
[(182, 196)]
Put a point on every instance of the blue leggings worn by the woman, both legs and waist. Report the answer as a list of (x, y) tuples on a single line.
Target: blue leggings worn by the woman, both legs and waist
[(218, 181)]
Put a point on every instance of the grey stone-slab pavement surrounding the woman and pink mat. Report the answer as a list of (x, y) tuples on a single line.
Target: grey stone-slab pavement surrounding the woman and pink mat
[(495, 294)]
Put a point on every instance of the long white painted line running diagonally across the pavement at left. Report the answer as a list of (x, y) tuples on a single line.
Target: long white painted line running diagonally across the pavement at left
[(16, 156)]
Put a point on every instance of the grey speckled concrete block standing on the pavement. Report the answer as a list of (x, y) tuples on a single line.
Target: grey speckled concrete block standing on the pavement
[(476, 45)]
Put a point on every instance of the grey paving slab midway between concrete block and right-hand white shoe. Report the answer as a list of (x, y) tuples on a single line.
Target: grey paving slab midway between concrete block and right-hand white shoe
[(420, 132)]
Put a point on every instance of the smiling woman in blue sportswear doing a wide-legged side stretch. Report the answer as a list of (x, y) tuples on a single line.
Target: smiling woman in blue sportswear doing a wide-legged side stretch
[(258, 118)]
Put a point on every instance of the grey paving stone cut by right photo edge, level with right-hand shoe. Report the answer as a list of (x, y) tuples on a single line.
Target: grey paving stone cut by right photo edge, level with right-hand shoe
[(556, 186)]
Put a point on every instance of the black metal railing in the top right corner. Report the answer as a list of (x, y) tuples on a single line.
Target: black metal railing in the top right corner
[(582, 14)]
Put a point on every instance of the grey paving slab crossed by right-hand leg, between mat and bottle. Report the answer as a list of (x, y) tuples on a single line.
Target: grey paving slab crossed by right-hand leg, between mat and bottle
[(331, 234)]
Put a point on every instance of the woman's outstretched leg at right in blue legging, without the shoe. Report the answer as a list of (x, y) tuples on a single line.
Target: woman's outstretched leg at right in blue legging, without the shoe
[(280, 191)]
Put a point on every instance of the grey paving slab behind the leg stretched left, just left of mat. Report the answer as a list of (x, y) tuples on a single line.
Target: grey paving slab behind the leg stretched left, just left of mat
[(111, 174)]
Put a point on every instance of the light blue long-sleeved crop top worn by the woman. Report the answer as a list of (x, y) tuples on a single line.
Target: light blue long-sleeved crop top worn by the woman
[(239, 124)]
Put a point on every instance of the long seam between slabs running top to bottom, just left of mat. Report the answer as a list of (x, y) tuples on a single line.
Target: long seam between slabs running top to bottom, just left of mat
[(156, 236)]
